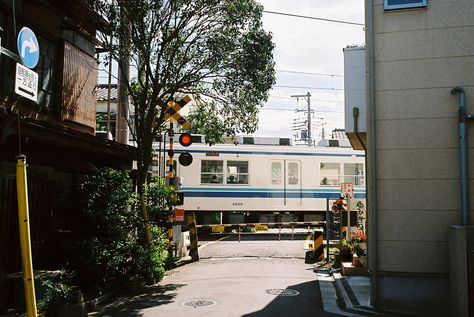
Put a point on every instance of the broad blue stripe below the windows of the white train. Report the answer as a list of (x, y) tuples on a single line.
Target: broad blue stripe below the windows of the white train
[(264, 194)]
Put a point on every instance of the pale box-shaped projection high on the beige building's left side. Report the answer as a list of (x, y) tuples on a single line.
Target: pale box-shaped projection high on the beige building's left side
[(355, 96)]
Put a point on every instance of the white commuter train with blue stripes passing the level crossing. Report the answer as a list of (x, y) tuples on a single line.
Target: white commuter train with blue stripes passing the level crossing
[(257, 180)]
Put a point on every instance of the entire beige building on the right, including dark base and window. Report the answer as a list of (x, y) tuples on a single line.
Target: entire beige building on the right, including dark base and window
[(417, 52)]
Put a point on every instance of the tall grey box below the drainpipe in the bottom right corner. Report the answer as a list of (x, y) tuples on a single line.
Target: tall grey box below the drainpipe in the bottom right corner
[(461, 270)]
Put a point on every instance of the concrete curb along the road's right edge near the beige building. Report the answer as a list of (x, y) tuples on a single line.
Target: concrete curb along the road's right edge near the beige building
[(348, 301)]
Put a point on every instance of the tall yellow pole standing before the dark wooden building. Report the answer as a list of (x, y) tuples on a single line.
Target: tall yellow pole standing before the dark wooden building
[(25, 241)]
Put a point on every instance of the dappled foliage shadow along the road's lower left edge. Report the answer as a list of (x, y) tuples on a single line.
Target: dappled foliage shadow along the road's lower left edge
[(130, 305)]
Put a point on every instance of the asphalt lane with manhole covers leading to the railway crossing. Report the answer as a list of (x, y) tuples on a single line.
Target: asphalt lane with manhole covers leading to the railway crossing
[(255, 277)]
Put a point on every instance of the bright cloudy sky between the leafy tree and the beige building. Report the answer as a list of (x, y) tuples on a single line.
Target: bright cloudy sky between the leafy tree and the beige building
[(309, 46)]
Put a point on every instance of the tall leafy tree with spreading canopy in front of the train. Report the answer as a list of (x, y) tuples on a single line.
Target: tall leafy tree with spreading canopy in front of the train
[(213, 50)]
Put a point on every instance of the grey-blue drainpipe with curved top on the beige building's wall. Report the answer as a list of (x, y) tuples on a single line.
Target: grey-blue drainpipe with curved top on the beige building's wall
[(463, 117)]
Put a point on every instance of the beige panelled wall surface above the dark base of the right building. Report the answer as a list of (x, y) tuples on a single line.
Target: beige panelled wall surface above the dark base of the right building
[(420, 55)]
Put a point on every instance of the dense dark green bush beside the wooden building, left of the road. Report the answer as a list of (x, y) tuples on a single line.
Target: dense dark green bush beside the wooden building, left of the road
[(111, 244)]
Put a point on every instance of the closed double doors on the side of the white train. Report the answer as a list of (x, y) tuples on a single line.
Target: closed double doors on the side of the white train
[(285, 183)]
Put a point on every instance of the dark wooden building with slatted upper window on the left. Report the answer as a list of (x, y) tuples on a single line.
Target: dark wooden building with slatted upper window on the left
[(56, 133)]
